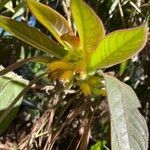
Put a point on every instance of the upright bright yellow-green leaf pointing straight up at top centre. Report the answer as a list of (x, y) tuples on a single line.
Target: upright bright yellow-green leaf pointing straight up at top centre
[(90, 27)]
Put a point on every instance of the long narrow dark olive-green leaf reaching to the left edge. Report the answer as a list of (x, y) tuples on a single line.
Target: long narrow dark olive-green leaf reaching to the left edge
[(31, 36)]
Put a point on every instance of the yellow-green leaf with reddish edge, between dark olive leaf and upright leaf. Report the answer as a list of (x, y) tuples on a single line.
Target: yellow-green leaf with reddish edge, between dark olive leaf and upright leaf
[(51, 19)]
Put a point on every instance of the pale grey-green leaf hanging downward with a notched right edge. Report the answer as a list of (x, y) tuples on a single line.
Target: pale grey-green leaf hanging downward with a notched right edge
[(128, 127)]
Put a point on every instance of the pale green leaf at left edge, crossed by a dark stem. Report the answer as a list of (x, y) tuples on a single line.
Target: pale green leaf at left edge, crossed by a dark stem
[(10, 86)]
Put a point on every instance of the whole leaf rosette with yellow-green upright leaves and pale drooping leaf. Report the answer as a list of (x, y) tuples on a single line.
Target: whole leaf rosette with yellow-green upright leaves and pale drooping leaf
[(78, 57)]
